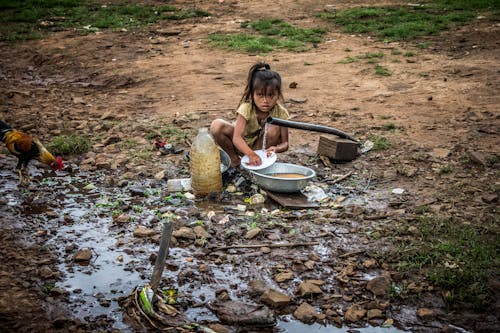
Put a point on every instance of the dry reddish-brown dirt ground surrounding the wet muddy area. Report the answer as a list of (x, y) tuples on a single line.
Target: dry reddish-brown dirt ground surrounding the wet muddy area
[(444, 102)]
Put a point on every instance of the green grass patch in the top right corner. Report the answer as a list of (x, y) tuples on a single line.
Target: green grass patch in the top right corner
[(410, 22)]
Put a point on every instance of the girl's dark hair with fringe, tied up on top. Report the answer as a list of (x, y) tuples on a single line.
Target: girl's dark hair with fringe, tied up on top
[(260, 76)]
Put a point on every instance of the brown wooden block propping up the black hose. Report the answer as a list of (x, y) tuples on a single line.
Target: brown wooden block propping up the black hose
[(337, 148)]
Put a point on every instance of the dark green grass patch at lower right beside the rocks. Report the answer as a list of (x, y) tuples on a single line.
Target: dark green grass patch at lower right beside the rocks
[(458, 258)]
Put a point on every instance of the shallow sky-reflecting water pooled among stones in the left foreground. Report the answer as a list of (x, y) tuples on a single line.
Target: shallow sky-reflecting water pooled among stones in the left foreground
[(121, 262)]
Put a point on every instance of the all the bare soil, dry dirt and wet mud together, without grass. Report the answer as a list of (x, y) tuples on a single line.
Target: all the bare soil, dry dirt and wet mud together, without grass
[(118, 87)]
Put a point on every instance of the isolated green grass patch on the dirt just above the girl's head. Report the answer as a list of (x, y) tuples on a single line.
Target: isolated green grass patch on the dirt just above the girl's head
[(271, 34)]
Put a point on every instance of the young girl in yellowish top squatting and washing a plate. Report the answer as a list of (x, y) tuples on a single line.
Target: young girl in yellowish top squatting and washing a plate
[(259, 101)]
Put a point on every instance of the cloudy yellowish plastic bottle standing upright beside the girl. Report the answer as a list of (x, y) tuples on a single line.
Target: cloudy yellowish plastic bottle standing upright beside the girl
[(205, 169)]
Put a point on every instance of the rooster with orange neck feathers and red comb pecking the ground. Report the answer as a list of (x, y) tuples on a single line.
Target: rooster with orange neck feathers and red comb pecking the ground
[(26, 148)]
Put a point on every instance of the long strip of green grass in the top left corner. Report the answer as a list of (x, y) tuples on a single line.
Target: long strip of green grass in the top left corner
[(32, 19)]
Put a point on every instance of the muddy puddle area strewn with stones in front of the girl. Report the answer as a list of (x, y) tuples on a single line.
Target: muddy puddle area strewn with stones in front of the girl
[(120, 226)]
